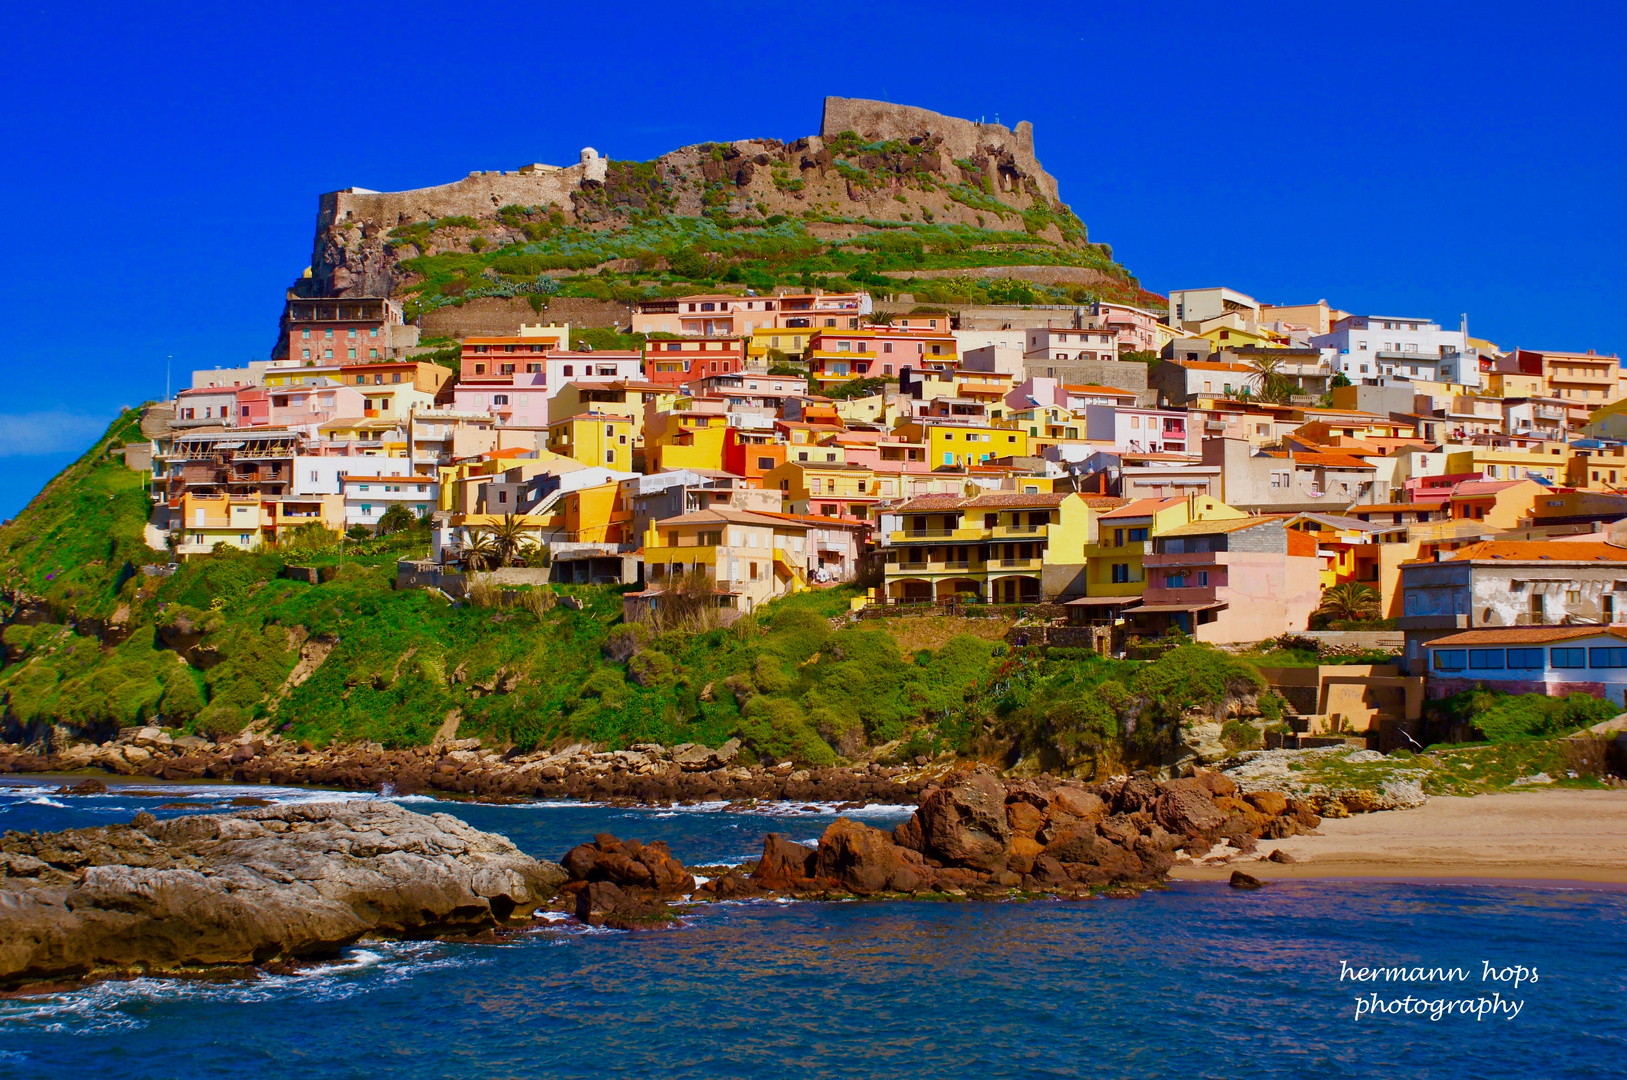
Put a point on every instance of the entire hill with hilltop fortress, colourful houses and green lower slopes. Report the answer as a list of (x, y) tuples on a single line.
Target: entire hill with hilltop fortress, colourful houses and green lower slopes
[(852, 453)]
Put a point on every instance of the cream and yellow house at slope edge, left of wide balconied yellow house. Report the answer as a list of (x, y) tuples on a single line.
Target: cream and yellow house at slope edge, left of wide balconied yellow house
[(751, 557)]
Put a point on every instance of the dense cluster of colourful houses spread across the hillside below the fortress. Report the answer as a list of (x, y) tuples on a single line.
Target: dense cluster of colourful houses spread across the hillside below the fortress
[(1226, 471)]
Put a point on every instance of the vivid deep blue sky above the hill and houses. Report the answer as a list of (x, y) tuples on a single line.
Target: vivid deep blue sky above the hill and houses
[(164, 162)]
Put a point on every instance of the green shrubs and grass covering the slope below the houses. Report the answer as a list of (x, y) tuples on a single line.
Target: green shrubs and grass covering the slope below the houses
[(94, 643)]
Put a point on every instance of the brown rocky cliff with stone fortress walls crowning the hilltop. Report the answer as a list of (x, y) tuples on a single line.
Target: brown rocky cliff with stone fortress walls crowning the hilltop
[(871, 160)]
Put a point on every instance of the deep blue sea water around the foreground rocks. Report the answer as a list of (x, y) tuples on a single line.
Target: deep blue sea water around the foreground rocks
[(1195, 982)]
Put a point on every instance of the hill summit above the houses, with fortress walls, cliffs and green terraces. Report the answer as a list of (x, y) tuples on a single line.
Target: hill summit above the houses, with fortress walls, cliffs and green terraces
[(881, 196)]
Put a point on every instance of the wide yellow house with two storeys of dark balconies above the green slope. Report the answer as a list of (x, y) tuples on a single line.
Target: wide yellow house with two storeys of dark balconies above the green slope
[(1003, 547)]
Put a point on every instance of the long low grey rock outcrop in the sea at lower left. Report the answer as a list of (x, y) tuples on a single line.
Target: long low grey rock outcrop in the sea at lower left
[(251, 887)]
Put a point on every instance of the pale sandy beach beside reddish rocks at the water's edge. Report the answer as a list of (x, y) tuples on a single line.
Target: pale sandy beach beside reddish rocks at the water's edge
[(1542, 835)]
